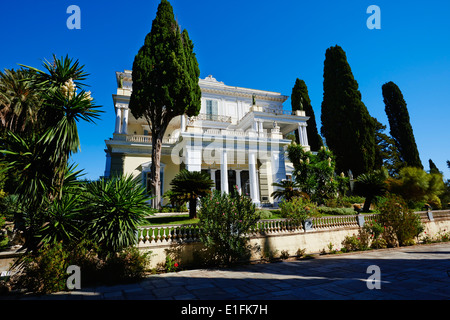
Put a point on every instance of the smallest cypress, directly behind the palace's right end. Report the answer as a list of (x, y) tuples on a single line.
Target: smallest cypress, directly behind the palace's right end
[(300, 101)]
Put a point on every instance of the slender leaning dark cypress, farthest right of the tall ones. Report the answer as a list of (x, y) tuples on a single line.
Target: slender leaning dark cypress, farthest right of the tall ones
[(400, 126)]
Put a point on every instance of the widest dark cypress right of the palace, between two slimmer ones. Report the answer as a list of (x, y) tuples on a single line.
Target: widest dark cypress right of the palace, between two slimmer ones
[(347, 126)]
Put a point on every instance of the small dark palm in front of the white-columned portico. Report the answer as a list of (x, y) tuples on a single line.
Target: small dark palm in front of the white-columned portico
[(190, 186)]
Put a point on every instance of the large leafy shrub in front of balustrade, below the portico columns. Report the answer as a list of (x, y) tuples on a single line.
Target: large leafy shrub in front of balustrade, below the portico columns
[(225, 221)]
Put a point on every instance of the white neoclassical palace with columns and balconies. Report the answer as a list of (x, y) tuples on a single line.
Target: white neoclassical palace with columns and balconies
[(239, 138)]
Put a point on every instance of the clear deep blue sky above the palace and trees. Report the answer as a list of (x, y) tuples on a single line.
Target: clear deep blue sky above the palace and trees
[(256, 44)]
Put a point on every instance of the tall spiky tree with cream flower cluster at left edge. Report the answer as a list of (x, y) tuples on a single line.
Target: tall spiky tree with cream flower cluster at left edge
[(40, 158)]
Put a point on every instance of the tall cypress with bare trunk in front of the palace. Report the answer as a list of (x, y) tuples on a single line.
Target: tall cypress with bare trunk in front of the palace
[(165, 83)]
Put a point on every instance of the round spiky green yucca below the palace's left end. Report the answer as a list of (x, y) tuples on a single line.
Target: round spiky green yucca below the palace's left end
[(114, 208)]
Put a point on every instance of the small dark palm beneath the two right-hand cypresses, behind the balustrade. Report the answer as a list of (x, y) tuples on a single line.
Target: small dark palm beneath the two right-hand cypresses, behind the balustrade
[(370, 185)]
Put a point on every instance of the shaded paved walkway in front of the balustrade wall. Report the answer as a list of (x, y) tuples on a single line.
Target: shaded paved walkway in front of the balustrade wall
[(411, 273)]
